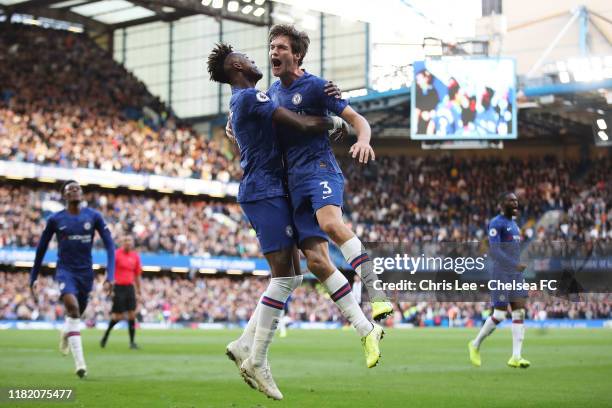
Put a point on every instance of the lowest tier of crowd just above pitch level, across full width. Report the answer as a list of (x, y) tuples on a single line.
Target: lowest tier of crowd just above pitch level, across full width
[(223, 299)]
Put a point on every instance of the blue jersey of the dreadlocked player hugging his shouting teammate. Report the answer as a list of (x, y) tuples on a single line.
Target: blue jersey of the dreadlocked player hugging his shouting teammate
[(260, 155)]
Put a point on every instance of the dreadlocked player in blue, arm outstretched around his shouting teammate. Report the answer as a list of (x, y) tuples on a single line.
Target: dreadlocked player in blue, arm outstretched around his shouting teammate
[(263, 197)]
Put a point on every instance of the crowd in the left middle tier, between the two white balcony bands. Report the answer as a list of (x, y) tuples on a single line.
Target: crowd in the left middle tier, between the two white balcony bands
[(158, 224)]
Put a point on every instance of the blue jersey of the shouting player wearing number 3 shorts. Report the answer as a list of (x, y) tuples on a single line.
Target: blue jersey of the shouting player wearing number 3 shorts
[(306, 154)]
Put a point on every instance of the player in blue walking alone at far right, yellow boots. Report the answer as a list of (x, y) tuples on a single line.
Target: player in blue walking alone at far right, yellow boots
[(506, 268)]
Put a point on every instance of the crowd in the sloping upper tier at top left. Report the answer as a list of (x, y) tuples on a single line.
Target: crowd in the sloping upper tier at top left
[(64, 101)]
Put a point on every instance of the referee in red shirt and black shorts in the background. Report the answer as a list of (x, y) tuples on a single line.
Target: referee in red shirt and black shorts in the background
[(127, 285)]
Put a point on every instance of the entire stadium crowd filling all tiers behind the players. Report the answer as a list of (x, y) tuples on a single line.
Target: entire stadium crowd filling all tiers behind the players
[(65, 102)]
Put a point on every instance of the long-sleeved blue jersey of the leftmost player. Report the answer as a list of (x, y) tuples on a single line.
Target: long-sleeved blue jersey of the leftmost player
[(75, 237)]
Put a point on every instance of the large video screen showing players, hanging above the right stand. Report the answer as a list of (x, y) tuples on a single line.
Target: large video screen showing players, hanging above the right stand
[(460, 98)]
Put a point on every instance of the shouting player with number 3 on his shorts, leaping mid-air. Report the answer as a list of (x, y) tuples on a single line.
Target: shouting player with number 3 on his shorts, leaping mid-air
[(316, 183)]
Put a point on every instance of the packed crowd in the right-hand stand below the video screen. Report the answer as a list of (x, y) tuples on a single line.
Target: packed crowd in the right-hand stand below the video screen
[(442, 199)]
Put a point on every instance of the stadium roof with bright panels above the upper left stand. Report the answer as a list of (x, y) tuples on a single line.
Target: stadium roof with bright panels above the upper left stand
[(108, 15)]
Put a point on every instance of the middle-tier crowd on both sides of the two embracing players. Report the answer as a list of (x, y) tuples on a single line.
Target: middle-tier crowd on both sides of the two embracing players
[(404, 200)]
